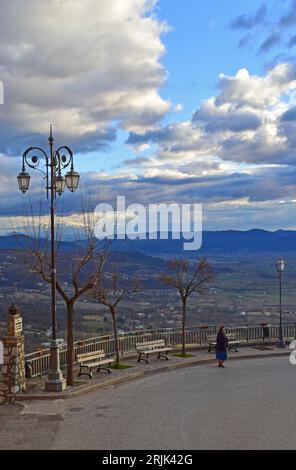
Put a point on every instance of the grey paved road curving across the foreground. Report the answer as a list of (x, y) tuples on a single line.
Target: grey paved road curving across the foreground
[(248, 405)]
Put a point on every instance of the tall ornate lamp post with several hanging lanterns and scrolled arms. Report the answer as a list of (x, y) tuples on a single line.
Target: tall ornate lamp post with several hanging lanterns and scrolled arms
[(55, 162)]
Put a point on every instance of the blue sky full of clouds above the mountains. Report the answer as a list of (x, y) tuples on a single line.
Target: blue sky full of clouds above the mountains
[(162, 101)]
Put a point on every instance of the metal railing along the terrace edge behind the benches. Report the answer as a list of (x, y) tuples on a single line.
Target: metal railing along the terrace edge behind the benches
[(39, 361)]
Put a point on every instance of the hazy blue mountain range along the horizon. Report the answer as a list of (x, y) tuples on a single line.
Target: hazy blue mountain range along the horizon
[(229, 241)]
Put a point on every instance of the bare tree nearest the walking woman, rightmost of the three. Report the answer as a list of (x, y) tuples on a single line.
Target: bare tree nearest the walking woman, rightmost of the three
[(187, 279)]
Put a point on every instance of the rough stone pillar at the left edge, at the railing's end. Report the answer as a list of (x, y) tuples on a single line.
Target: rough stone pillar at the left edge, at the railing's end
[(13, 379)]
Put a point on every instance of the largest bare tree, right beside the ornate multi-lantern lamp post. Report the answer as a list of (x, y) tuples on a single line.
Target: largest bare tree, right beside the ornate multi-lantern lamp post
[(83, 267)]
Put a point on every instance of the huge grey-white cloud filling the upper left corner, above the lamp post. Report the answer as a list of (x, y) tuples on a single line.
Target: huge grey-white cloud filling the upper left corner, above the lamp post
[(81, 64)]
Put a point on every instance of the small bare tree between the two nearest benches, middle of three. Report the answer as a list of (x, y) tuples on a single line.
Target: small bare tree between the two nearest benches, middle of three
[(111, 298)]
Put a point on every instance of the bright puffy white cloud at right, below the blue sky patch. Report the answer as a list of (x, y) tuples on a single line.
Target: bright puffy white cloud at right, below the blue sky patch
[(242, 123)]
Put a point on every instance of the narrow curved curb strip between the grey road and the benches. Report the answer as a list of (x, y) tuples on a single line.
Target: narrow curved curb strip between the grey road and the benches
[(88, 388)]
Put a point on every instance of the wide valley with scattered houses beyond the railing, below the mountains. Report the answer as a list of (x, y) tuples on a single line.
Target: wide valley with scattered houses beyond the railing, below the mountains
[(245, 291)]
